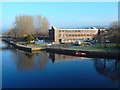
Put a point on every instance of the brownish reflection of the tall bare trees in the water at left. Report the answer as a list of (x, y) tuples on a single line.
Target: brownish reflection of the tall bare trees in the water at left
[(28, 61)]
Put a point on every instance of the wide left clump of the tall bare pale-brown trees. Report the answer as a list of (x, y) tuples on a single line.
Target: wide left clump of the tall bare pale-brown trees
[(24, 25)]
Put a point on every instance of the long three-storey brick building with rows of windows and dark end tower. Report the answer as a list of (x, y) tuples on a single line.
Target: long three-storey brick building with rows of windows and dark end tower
[(71, 35)]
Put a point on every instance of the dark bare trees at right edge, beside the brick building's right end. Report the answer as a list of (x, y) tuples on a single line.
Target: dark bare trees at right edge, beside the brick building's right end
[(112, 34)]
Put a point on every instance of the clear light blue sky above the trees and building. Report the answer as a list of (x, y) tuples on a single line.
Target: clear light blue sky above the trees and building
[(62, 14)]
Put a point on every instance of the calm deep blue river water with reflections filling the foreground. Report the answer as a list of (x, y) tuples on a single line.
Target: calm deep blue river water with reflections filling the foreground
[(47, 70)]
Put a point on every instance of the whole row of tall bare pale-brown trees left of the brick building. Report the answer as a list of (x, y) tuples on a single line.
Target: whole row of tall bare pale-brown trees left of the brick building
[(26, 24)]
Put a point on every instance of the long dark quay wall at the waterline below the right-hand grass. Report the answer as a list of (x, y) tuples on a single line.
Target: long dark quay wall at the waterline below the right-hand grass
[(90, 54)]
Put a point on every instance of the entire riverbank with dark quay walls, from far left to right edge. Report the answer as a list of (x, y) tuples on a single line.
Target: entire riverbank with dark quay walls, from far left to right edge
[(86, 51)]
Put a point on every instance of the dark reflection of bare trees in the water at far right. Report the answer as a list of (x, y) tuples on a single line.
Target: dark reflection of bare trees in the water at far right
[(108, 68)]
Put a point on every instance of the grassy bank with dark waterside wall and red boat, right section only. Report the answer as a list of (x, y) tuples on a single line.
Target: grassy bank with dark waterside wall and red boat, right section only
[(96, 50)]
